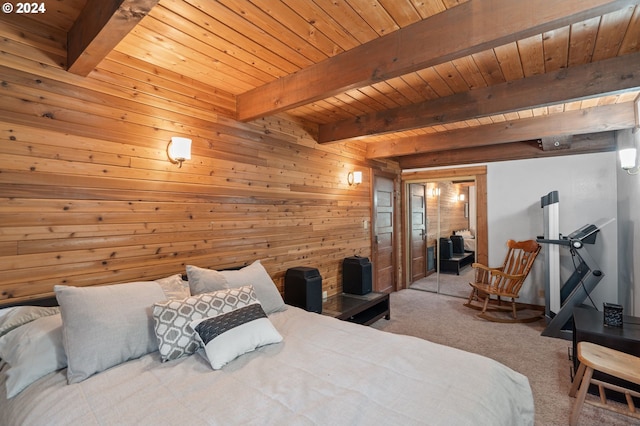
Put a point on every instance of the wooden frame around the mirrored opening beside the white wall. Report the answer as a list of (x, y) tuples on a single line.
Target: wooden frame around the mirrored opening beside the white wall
[(479, 173)]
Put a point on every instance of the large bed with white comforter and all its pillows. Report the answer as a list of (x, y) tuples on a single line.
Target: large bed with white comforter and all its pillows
[(321, 371)]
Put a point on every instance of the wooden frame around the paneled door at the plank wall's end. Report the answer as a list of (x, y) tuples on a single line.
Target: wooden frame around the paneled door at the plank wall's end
[(396, 226)]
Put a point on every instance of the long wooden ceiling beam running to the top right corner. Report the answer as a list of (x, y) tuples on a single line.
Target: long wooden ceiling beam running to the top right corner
[(469, 28)]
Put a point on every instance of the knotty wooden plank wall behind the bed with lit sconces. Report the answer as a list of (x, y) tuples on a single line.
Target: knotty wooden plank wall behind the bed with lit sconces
[(87, 195)]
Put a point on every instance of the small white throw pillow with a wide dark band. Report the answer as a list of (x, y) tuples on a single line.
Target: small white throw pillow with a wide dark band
[(228, 335)]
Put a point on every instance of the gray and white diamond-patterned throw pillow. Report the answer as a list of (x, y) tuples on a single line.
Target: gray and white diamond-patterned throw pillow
[(172, 318)]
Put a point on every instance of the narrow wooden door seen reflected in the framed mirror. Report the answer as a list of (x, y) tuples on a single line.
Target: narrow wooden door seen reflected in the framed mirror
[(418, 225)]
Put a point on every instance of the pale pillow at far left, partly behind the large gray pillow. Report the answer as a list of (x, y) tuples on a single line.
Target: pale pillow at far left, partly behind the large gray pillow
[(32, 351)]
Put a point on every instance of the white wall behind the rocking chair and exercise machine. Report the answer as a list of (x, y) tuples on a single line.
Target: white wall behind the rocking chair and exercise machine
[(587, 188)]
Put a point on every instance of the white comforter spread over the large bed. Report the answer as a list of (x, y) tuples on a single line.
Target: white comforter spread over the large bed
[(325, 372)]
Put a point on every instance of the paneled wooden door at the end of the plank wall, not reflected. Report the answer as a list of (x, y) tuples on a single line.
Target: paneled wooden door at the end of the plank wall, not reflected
[(384, 235)]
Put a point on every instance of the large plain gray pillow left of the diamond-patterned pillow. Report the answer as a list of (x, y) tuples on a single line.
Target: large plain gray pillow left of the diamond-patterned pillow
[(104, 326)]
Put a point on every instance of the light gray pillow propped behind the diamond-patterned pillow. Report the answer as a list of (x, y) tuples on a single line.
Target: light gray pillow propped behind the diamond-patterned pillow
[(207, 280)]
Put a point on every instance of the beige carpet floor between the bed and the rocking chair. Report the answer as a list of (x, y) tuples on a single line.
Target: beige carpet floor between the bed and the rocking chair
[(544, 360)]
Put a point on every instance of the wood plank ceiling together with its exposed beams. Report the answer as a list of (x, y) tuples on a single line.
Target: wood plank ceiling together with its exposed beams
[(430, 82)]
